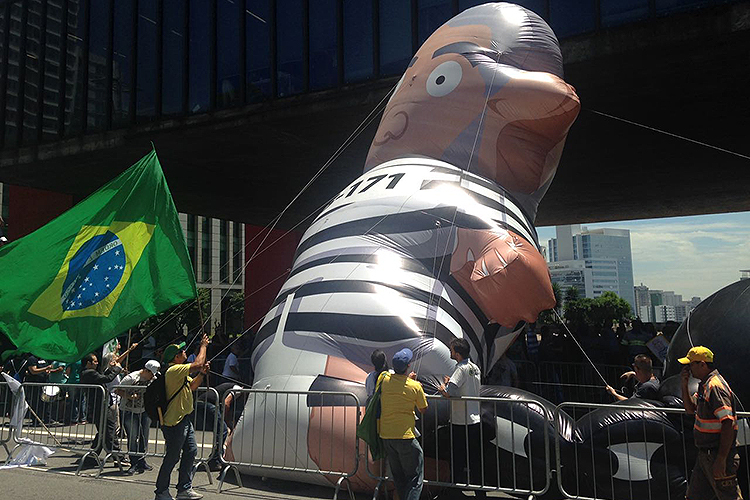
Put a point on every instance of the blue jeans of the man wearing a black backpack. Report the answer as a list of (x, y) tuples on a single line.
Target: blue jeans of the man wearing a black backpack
[(178, 438)]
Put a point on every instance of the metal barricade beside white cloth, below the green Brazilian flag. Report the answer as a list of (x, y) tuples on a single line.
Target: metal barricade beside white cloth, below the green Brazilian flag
[(54, 416)]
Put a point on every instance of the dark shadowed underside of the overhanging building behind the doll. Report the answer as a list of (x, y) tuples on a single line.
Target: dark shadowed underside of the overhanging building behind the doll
[(687, 75)]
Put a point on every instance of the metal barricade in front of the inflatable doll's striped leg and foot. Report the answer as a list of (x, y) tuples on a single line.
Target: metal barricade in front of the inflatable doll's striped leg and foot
[(270, 434)]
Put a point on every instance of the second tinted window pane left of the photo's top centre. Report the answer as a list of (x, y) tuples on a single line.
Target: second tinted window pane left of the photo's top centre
[(323, 56)]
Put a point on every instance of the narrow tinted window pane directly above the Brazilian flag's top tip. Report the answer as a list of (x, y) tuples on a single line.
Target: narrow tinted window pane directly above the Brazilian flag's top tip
[(146, 88)]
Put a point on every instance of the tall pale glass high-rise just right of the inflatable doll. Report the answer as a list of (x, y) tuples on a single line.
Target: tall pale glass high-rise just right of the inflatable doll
[(606, 252)]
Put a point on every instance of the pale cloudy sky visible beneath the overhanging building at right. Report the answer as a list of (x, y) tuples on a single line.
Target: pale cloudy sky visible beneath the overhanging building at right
[(693, 256)]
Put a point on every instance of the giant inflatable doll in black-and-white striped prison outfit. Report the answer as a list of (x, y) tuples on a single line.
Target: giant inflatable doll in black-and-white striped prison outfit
[(434, 241)]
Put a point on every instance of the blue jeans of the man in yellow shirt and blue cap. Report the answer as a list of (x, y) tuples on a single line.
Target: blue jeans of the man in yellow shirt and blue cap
[(407, 466)]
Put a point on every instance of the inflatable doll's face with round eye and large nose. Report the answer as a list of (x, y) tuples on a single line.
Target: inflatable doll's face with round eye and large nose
[(458, 101)]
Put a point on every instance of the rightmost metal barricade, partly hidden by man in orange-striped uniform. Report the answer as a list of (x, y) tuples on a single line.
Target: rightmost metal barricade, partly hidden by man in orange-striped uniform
[(632, 451)]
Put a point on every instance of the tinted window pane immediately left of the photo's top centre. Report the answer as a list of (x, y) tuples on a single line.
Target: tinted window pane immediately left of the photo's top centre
[(358, 47)]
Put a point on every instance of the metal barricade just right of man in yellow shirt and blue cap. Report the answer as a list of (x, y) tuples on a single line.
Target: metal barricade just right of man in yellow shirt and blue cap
[(509, 451)]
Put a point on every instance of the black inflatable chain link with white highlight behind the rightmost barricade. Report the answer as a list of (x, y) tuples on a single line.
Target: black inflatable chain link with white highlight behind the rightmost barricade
[(628, 454)]
